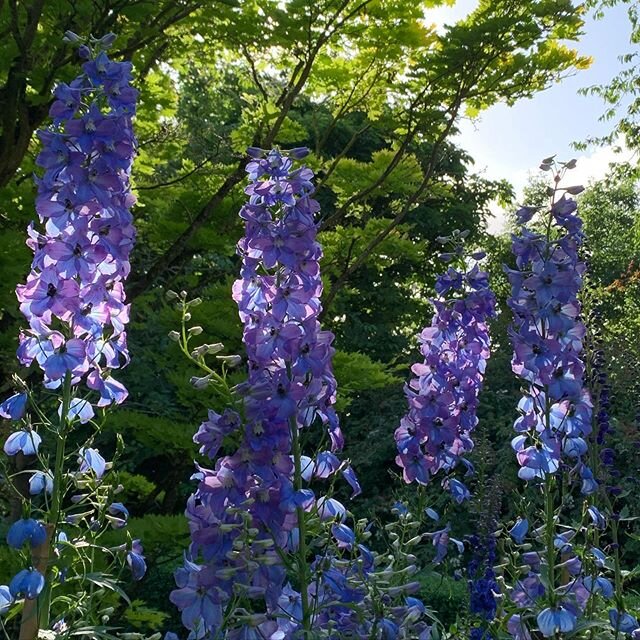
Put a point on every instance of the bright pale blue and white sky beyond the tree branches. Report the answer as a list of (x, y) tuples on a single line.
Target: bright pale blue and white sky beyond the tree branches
[(509, 142)]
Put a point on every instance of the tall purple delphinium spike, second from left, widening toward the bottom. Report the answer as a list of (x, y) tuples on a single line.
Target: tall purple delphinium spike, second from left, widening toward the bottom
[(290, 386)]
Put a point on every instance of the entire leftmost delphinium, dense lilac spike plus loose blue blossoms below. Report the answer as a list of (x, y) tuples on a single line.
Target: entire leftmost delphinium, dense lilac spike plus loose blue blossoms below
[(74, 303)]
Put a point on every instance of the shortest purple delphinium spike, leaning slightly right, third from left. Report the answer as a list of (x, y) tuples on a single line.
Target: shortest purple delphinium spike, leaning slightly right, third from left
[(443, 399)]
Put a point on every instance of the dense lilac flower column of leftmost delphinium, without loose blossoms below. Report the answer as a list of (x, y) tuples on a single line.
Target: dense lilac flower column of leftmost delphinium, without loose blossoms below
[(73, 299)]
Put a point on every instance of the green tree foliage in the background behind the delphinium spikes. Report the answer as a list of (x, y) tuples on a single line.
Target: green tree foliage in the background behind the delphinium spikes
[(376, 93)]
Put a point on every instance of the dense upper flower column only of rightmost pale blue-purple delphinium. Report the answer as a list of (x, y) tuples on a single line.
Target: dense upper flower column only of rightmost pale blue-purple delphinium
[(547, 335)]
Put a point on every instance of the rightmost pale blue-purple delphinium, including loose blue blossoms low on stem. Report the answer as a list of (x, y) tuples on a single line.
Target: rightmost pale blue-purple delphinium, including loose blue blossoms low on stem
[(555, 419)]
